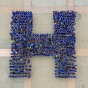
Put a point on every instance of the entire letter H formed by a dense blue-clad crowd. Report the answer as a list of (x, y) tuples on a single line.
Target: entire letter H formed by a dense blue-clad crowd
[(60, 44)]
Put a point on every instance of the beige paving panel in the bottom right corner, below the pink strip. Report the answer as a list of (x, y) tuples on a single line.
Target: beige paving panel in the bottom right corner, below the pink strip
[(82, 72)]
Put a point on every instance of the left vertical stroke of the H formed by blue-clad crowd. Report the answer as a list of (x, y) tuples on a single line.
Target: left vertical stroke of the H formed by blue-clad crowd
[(21, 29)]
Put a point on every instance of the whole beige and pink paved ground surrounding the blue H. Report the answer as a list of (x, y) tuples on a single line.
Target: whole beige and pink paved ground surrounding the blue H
[(43, 67)]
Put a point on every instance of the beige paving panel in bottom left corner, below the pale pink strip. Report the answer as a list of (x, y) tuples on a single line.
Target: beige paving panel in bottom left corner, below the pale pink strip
[(5, 81)]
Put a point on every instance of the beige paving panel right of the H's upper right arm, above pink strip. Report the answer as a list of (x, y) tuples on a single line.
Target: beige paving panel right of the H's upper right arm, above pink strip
[(82, 32)]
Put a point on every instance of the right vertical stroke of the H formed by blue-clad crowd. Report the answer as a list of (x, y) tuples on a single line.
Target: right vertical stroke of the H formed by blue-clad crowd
[(64, 38)]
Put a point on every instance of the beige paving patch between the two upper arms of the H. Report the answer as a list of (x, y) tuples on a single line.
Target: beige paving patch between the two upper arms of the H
[(43, 23)]
